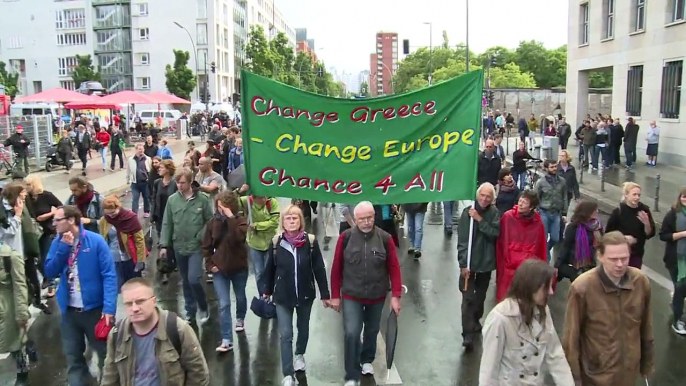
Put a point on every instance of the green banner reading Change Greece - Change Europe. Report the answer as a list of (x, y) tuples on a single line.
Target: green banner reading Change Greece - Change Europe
[(415, 147)]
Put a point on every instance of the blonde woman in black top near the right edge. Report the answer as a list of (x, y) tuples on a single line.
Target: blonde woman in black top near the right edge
[(634, 219)]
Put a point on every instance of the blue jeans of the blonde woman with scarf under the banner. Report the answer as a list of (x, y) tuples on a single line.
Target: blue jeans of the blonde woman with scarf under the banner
[(284, 317)]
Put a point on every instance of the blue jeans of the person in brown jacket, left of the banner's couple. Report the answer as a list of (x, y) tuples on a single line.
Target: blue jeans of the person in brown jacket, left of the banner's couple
[(222, 287)]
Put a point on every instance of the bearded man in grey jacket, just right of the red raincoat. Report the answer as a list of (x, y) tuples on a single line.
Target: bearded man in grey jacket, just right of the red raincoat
[(552, 194)]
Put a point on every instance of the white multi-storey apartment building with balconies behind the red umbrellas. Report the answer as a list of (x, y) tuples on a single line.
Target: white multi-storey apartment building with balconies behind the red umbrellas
[(131, 42)]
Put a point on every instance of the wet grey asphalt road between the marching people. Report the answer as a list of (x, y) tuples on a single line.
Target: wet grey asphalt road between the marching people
[(429, 350)]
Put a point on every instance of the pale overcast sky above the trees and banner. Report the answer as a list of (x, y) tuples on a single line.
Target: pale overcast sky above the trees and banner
[(345, 30)]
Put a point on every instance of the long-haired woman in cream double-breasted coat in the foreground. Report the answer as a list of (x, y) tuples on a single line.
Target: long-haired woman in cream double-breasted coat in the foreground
[(523, 321)]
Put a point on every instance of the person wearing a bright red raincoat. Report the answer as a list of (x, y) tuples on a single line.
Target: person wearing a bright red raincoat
[(522, 237)]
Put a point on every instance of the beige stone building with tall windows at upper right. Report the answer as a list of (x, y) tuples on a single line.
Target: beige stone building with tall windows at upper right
[(643, 43)]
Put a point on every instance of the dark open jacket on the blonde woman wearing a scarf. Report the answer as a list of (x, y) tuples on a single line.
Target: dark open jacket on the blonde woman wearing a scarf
[(279, 274)]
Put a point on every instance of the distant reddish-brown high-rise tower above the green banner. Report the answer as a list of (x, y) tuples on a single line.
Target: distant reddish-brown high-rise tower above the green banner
[(384, 63)]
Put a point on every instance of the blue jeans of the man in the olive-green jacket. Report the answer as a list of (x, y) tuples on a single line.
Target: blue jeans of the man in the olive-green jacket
[(191, 268)]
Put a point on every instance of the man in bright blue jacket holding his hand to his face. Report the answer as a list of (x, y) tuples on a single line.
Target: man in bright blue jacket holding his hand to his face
[(87, 292)]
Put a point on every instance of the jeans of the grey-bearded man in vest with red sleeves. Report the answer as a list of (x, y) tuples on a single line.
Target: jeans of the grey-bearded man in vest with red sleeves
[(356, 316)]
